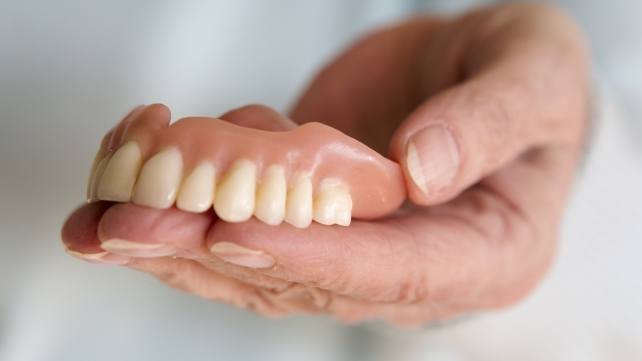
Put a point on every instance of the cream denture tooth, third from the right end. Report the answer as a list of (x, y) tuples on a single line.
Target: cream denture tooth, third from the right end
[(270, 197)]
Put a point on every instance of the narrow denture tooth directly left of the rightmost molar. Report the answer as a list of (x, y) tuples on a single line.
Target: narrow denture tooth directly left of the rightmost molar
[(299, 203)]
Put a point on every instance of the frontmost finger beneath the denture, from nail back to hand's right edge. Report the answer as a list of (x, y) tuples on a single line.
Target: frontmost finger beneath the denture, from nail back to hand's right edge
[(482, 250)]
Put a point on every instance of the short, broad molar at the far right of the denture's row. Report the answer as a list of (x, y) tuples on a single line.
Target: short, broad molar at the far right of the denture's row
[(333, 204)]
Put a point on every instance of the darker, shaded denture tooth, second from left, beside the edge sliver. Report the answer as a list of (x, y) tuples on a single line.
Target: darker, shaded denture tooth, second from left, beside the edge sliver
[(120, 174)]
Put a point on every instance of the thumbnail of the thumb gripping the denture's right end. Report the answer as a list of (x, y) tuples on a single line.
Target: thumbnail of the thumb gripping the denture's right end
[(432, 158)]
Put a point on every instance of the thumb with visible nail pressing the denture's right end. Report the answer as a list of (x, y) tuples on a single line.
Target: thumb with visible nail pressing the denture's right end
[(457, 138)]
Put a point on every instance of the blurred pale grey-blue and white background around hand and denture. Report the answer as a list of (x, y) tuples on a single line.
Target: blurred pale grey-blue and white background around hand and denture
[(69, 69)]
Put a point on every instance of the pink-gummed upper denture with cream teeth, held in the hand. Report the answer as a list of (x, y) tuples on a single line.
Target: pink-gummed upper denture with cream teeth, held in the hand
[(311, 173)]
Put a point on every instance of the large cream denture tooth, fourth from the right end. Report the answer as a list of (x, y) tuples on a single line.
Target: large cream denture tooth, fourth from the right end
[(234, 200)]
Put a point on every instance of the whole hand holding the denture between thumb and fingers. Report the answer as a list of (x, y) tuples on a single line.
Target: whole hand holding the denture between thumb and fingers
[(485, 113)]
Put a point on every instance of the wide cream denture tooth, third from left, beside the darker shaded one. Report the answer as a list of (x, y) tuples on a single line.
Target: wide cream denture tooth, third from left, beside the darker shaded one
[(159, 180)]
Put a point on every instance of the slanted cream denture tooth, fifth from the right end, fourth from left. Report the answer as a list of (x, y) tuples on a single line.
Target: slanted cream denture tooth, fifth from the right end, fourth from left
[(197, 192)]
